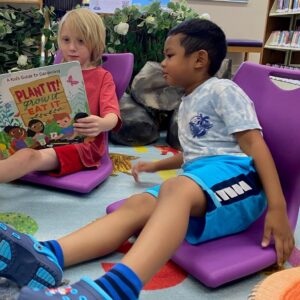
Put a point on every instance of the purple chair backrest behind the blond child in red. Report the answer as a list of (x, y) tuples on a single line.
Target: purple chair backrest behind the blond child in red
[(120, 65)]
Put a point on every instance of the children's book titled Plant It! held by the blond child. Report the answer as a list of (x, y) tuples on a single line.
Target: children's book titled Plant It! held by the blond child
[(39, 106)]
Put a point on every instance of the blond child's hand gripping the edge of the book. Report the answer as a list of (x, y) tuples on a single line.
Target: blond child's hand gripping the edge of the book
[(89, 126)]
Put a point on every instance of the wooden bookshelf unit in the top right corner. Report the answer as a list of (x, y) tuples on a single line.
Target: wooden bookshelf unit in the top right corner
[(280, 21)]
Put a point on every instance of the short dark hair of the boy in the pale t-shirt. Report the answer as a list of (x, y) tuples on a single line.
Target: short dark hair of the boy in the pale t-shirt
[(200, 34)]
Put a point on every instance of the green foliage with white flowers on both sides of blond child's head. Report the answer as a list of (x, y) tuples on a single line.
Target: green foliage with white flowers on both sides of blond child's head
[(139, 30)]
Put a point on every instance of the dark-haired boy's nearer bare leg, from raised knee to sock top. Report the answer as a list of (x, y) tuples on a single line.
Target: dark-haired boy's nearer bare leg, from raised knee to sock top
[(163, 233)]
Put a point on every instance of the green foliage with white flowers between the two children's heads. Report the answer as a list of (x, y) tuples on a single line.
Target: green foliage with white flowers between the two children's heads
[(147, 30)]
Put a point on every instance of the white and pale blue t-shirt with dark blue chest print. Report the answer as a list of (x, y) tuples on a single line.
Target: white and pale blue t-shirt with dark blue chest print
[(208, 117)]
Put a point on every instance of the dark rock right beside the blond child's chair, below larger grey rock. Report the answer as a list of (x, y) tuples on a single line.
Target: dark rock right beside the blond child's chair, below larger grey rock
[(138, 126)]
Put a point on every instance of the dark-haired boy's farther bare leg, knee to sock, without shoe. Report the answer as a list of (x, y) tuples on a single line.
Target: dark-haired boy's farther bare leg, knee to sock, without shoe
[(106, 234)]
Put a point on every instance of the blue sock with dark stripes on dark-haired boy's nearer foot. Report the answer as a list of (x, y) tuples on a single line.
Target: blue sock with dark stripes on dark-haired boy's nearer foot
[(121, 283)]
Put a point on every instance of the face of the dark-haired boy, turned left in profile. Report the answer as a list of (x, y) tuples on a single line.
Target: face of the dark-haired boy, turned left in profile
[(180, 69)]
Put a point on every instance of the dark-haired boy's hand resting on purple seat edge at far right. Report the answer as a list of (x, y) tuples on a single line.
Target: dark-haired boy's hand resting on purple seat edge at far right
[(277, 226)]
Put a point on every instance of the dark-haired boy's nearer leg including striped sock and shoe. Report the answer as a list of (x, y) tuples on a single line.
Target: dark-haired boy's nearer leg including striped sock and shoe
[(164, 231)]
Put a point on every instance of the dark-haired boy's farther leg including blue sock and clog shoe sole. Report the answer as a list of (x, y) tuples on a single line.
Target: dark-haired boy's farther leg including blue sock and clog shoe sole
[(21, 256)]
